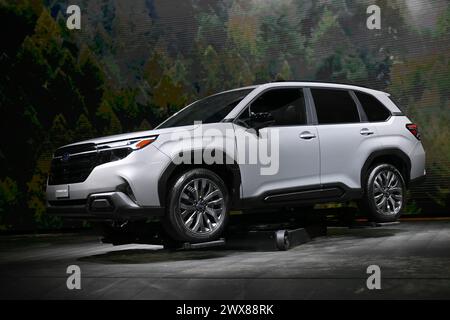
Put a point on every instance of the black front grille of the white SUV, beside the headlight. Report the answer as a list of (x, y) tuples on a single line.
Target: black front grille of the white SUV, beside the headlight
[(76, 169)]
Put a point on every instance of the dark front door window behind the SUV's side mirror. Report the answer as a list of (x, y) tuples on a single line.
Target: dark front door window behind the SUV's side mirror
[(287, 106)]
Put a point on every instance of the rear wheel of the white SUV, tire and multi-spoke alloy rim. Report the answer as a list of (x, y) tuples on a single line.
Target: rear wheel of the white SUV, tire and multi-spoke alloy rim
[(385, 194)]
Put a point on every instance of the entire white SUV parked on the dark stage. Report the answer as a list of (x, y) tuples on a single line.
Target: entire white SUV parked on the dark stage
[(332, 143)]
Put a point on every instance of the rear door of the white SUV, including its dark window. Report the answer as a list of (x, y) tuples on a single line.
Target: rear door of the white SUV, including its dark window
[(346, 138)]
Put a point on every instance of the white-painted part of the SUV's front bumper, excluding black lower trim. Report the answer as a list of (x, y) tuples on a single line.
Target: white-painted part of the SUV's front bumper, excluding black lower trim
[(136, 176)]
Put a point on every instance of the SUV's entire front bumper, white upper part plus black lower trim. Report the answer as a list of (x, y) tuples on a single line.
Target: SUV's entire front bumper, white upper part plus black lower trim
[(121, 190)]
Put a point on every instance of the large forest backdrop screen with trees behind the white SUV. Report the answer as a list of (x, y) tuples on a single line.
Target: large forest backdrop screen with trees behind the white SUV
[(133, 63)]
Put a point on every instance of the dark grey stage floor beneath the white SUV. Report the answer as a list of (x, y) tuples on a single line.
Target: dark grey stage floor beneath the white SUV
[(414, 257)]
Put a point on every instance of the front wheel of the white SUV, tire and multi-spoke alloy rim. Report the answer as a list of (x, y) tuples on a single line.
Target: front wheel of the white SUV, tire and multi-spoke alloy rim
[(197, 207)]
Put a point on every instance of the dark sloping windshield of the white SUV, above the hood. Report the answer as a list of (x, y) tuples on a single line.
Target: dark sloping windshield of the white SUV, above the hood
[(207, 110)]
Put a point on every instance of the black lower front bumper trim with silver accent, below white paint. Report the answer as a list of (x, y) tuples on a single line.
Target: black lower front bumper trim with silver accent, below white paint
[(102, 206)]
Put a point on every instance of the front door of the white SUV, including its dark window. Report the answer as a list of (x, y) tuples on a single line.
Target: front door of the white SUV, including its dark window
[(287, 149)]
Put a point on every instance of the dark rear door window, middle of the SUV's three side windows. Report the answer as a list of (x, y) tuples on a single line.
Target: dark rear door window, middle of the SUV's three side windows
[(334, 106)]
